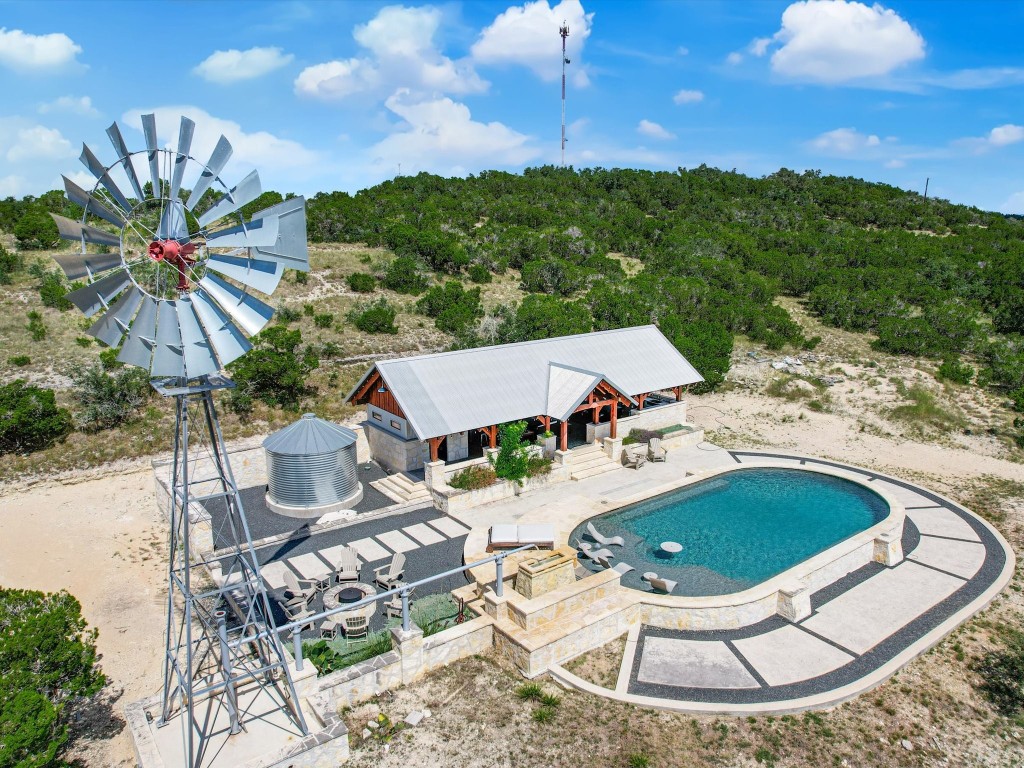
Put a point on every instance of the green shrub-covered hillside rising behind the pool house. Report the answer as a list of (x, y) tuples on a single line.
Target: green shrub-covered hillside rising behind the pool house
[(780, 263)]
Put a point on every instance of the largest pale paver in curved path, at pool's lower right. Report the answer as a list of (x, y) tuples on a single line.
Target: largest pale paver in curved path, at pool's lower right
[(867, 615)]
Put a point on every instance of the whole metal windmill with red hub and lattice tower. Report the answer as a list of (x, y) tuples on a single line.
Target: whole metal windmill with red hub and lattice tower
[(169, 281)]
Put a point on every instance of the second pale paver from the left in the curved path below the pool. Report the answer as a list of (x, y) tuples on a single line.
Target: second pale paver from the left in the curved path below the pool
[(789, 655)]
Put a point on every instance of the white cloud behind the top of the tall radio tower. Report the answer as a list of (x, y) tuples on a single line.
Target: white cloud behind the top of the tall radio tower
[(528, 36)]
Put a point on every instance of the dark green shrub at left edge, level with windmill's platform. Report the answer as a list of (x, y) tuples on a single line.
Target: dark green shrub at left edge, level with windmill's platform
[(30, 419)]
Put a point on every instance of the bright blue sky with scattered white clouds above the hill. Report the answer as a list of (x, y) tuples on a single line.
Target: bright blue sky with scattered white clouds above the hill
[(322, 96)]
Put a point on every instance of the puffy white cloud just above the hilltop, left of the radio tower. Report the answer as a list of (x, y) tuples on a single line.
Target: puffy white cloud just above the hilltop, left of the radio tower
[(441, 136)]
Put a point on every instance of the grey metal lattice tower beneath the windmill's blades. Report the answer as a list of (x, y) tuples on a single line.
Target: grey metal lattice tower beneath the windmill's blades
[(222, 638)]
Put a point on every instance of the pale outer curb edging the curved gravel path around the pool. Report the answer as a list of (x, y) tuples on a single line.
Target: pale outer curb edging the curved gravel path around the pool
[(834, 696)]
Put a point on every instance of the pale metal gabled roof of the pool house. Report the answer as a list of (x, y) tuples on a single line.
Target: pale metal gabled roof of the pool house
[(465, 390)]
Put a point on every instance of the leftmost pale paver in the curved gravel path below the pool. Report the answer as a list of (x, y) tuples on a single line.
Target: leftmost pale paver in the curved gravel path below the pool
[(693, 664)]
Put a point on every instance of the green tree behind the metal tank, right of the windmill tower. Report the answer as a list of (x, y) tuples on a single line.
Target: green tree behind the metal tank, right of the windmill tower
[(275, 371)]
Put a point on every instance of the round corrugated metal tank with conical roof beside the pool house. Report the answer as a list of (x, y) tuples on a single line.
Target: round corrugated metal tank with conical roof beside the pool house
[(312, 463)]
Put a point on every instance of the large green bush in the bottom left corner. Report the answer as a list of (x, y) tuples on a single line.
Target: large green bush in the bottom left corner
[(49, 663)]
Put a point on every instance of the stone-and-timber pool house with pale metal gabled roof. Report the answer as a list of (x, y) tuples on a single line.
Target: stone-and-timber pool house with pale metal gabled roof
[(449, 406)]
